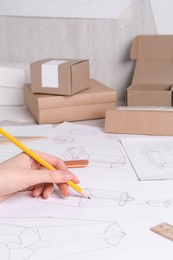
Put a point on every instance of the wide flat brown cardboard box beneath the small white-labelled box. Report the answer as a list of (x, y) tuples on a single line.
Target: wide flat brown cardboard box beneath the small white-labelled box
[(88, 104)]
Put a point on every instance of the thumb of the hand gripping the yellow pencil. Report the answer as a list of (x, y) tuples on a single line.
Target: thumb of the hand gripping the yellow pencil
[(44, 176)]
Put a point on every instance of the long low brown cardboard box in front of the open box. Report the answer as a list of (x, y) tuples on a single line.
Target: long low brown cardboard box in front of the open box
[(125, 120)]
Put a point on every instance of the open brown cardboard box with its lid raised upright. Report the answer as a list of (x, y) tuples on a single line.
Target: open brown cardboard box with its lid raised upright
[(153, 74)]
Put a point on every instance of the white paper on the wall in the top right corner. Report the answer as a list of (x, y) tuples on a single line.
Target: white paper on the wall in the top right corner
[(162, 12)]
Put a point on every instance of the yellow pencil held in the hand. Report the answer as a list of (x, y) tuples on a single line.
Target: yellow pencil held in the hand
[(39, 159)]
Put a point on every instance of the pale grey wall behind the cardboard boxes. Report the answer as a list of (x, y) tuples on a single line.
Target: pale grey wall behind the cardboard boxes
[(105, 42)]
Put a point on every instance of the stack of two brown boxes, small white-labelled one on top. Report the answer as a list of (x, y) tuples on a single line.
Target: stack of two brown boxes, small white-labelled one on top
[(61, 90)]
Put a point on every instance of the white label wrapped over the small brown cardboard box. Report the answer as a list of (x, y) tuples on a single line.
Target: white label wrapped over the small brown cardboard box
[(49, 73)]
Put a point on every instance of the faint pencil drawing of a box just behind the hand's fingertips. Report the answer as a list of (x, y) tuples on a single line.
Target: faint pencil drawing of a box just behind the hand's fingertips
[(97, 156)]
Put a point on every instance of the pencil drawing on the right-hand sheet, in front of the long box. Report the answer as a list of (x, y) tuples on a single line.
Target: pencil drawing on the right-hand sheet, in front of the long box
[(160, 156)]
